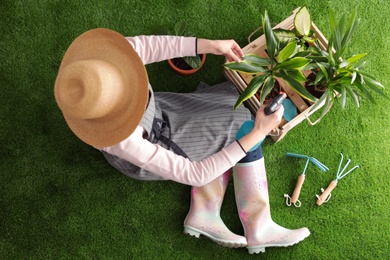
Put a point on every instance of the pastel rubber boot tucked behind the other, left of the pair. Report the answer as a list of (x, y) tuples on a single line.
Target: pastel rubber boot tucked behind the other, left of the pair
[(204, 215)]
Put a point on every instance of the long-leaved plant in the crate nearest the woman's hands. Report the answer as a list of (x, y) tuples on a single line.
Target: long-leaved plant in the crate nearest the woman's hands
[(282, 61)]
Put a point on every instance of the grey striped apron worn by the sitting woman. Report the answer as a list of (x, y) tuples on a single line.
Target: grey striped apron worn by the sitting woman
[(200, 123)]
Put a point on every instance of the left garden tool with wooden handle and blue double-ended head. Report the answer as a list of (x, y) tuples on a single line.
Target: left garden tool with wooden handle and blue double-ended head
[(301, 178)]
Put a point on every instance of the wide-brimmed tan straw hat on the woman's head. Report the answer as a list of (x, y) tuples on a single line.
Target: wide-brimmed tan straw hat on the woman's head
[(101, 88)]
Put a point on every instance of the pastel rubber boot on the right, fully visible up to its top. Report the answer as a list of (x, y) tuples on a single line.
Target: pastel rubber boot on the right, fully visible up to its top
[(251, 191)]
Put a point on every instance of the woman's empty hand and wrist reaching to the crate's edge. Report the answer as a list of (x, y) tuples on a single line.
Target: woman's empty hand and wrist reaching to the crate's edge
[(228, 48)]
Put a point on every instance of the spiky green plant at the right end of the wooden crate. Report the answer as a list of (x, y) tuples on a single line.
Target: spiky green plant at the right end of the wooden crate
[(336, 76)]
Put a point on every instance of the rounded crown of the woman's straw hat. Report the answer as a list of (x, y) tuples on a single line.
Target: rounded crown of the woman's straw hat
[(89, 89)]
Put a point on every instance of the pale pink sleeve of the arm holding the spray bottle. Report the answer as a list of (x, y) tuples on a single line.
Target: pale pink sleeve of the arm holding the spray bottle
[(165, 163)]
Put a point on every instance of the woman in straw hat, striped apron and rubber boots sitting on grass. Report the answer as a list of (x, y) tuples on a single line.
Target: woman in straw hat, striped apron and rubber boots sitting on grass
[(103, 91)]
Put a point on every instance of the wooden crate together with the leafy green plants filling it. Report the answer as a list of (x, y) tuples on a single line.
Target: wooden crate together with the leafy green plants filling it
[(334, 76)]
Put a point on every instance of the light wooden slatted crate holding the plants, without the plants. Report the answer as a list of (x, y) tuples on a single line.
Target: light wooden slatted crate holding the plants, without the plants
[(241, 80)]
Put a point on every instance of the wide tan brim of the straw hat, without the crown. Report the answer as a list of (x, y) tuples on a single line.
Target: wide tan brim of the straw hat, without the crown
[(110, 46)]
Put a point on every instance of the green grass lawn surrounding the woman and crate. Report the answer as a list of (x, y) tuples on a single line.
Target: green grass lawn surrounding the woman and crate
[(60, 199)]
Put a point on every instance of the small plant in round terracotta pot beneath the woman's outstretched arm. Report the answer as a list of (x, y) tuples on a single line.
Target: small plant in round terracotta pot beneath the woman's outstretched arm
[(186, 65)]
